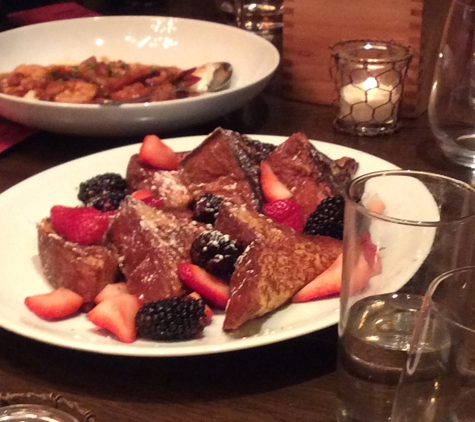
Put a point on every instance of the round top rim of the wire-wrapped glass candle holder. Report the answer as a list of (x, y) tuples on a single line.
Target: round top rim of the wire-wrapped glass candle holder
[(338, 51)]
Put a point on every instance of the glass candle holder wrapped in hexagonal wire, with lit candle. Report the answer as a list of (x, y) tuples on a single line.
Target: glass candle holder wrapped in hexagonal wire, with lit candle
[(369, 77)]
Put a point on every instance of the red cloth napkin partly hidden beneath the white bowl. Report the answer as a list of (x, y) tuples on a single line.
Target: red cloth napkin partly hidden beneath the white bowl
[(11, 133)]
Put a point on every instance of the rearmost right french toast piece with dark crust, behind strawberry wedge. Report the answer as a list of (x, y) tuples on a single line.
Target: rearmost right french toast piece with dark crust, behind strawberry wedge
[(310, 175)]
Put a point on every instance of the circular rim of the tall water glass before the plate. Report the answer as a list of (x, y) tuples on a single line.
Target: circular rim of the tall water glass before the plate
[(416, 223)]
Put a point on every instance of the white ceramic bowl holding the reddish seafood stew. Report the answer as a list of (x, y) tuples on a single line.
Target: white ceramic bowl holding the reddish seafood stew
[(146, 39)]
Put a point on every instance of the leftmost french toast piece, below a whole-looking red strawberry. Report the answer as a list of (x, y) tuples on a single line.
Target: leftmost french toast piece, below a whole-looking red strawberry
[(83, 269)]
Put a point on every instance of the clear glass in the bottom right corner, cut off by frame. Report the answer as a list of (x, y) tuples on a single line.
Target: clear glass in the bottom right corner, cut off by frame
[(438, 381)]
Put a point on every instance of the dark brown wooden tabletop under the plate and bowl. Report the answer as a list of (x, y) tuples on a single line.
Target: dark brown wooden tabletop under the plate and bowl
[(289, 381)]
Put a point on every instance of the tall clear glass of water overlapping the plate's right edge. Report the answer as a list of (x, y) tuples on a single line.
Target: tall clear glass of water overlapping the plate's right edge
[(401, 230)]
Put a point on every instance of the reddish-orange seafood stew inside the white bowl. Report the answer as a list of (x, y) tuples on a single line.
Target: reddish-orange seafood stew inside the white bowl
[(96, 81)]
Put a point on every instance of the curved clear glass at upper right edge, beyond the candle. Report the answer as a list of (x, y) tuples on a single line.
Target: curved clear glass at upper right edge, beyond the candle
[(452, 99)]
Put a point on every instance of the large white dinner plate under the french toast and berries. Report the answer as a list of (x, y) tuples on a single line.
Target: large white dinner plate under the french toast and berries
[(25, 204)]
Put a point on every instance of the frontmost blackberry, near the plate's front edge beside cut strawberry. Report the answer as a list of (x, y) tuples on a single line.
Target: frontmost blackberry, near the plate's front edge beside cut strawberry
[(178, 318)]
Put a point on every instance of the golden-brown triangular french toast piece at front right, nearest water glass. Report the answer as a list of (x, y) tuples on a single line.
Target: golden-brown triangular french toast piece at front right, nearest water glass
[(277, 262)]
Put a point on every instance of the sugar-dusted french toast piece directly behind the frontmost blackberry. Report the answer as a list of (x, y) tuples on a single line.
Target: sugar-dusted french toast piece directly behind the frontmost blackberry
[(150, 244)]
